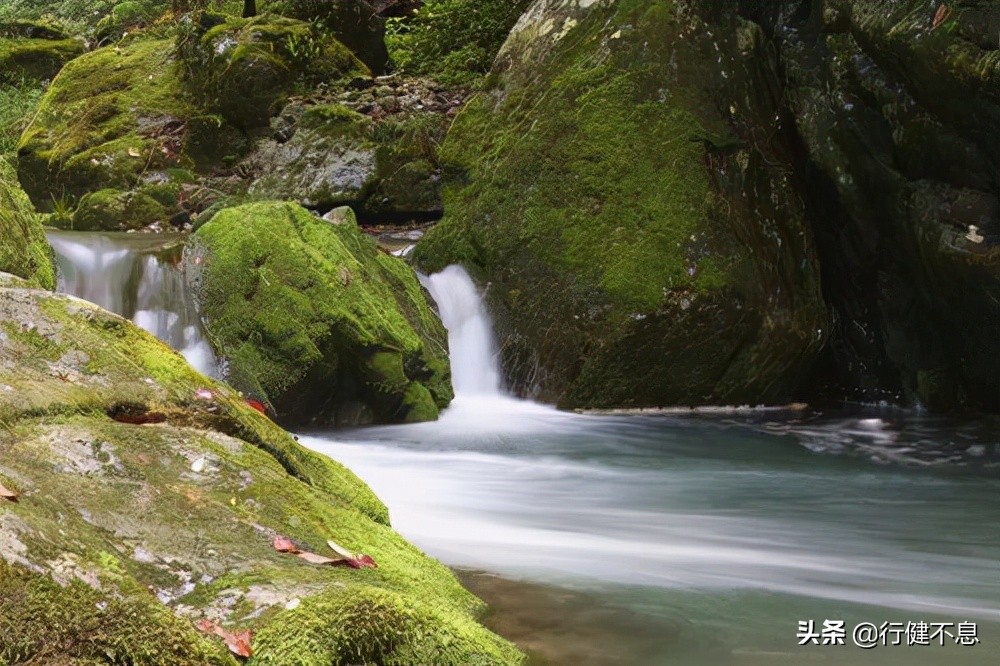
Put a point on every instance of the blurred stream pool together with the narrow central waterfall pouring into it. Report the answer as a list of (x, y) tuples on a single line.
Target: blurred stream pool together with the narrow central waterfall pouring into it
[(668, 539)]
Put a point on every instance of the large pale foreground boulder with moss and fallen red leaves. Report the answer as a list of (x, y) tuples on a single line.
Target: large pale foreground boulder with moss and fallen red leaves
[(149, 497)]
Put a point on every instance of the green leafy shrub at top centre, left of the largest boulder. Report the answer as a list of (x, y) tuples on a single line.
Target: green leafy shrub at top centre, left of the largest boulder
[(454, 41)]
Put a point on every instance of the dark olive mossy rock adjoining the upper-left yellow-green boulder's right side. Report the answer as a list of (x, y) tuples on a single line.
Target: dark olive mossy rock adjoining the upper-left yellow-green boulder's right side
[(245, 68)]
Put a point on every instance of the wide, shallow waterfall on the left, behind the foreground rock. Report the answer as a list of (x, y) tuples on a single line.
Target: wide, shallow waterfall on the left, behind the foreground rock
[(122, 273)]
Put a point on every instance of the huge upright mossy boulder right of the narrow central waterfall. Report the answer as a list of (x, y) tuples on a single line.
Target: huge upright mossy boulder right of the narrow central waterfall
[(618, 184)]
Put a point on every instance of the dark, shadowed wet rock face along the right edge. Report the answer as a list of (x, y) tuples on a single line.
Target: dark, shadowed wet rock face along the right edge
[(898, 109)]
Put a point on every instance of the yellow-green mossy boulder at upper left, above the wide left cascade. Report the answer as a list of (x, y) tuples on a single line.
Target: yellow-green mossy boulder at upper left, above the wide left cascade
[(109, 118)]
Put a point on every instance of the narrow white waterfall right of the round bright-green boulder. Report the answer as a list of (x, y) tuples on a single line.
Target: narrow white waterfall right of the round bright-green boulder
[(474, 359)]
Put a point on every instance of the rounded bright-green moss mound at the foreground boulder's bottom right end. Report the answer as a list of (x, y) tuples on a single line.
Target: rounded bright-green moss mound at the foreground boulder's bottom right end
[(372, 626)]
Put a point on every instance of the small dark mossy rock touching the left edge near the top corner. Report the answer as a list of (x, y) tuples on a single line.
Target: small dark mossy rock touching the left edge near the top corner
[(34, 51)]
